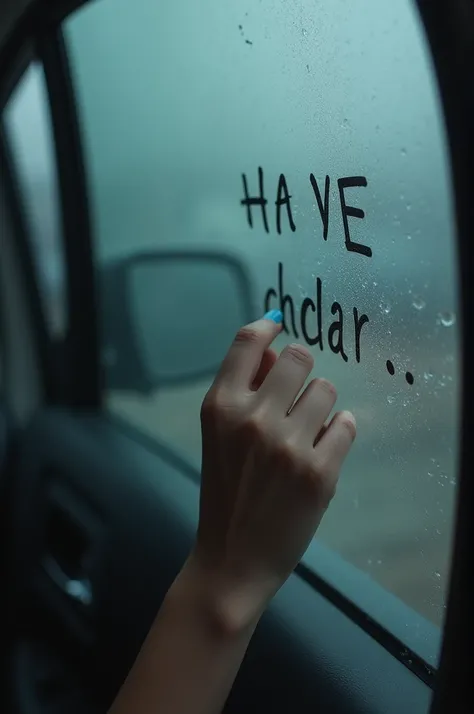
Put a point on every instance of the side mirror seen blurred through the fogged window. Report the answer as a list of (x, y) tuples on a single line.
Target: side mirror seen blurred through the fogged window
[(168, 317)]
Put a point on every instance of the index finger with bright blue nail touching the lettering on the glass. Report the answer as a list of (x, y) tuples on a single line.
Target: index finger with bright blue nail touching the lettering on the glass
[(241, 363)]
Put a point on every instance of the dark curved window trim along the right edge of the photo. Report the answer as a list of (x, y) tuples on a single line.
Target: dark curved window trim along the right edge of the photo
[(449, 29)]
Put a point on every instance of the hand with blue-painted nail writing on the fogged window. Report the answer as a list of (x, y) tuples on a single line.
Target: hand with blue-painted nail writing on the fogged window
[(270, 466)]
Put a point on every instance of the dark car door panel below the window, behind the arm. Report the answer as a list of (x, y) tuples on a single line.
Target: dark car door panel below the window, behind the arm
[(119, 518)]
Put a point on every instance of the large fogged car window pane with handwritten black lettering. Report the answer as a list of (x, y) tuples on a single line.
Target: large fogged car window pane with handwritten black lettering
[(331, 116)]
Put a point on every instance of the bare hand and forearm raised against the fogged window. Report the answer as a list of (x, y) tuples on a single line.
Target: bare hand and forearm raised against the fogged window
[(271, 461)]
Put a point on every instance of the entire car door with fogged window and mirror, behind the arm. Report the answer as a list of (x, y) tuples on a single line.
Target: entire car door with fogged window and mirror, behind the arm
[(169, 172)]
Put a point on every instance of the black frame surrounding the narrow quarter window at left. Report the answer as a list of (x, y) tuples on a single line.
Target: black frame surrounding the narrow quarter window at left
[(36, 35)]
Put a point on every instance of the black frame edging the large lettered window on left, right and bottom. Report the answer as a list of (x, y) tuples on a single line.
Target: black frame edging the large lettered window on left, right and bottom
[(448, 31)]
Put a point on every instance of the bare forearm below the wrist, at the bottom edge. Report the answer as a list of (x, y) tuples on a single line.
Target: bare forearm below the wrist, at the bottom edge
[(190, 658)]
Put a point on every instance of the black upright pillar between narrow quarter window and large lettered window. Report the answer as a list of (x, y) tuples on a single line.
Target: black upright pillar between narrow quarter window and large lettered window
[(81, 346)]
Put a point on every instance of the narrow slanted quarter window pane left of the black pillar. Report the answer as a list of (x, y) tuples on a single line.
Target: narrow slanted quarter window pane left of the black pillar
[(28, 128)]
